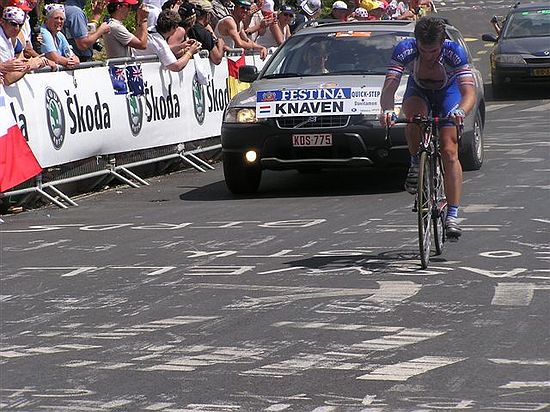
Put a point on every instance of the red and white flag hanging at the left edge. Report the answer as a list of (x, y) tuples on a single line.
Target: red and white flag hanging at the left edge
[(17, 162)]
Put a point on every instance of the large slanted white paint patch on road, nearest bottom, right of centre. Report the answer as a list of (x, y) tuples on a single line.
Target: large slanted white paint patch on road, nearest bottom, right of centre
[(403, 371)]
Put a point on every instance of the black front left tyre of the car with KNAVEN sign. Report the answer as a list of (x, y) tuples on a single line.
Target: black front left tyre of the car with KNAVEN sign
[(240, 178)]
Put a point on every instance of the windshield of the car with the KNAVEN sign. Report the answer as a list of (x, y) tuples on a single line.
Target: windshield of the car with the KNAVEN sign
[(345, 52)]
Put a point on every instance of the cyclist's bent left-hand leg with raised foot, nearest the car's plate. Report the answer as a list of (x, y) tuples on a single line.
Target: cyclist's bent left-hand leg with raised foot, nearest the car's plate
[(414, 103)]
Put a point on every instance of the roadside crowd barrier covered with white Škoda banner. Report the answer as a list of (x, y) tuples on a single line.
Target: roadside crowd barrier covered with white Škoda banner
[(77, 116)]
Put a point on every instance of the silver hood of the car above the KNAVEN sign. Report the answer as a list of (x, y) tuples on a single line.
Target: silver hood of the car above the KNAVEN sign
[(247, 98)]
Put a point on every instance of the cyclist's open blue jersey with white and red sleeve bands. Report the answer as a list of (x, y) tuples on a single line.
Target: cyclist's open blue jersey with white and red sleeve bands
[(452, 65)]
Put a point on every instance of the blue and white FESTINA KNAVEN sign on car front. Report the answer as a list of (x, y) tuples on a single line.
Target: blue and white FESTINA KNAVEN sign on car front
[(320, 102)]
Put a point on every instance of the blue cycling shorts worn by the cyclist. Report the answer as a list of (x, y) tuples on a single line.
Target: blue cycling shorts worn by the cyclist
[(443, 101)]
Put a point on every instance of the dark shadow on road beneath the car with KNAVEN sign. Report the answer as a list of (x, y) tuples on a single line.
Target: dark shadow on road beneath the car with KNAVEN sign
[(325, 183)]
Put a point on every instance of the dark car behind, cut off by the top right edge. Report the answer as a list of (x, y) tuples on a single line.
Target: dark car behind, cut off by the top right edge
[(522, 52)]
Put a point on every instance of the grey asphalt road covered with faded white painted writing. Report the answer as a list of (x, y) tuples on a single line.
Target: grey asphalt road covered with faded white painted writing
[(306, 297)]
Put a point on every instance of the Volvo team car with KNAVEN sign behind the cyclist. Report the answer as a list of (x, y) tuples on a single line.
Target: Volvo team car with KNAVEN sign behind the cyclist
[(315, 105)]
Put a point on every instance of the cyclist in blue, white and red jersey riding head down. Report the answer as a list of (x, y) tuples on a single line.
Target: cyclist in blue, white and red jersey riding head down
[(440, 77)]
